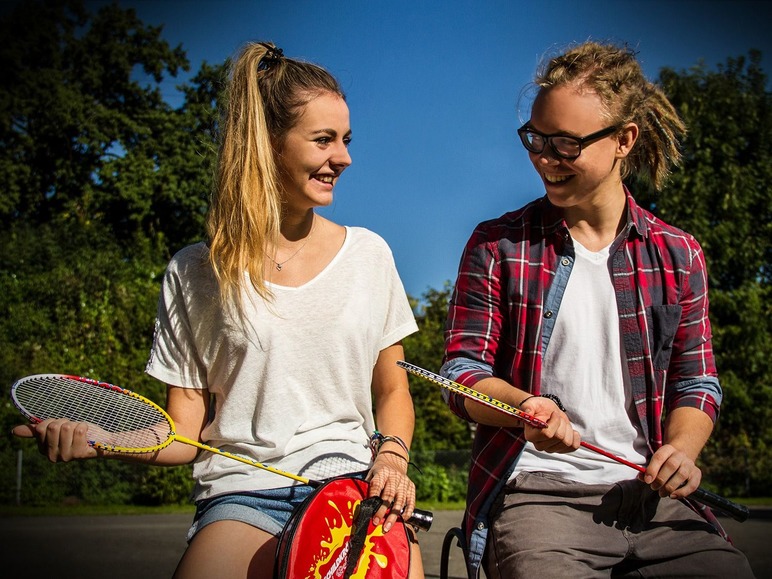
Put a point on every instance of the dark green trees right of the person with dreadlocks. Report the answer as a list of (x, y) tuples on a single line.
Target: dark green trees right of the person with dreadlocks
[(721, 195)]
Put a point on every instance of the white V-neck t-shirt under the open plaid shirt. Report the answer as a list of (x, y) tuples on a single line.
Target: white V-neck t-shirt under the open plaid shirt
[(584, 365)]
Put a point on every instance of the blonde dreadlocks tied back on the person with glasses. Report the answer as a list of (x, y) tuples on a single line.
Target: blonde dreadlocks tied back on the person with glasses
[(614, 74)]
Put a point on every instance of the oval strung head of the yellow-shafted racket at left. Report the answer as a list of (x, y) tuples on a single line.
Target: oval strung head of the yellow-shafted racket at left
[(118, 419)]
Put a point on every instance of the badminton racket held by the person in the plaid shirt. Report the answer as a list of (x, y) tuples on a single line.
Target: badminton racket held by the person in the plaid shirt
[(736, 511)]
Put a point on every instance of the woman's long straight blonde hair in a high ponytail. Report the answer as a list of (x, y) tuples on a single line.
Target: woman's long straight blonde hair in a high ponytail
[(265, 97)]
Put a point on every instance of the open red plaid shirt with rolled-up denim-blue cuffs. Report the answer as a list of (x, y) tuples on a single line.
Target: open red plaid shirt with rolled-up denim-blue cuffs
[(501, 306)]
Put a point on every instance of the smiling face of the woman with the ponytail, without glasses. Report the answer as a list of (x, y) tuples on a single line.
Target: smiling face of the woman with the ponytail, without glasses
[(314, 153)]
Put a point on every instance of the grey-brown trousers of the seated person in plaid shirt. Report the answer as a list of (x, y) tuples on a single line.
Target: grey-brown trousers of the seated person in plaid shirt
[(545, 526)]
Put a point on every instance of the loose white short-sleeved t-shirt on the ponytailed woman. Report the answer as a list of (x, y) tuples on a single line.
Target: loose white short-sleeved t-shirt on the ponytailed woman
[(291, 379)]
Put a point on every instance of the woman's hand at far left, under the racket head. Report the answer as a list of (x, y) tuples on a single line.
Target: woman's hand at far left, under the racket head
[(59, 439)]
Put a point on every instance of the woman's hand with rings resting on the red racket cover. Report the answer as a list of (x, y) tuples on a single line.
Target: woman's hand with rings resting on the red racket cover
[(388, 479)]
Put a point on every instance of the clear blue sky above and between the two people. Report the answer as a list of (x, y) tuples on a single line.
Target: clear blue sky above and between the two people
[(434, 92)]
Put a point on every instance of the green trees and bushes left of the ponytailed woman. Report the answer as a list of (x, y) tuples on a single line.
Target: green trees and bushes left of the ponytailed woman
[(102, 181)]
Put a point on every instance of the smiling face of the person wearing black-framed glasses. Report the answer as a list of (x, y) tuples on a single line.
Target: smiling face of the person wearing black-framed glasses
[(594, 175)]
